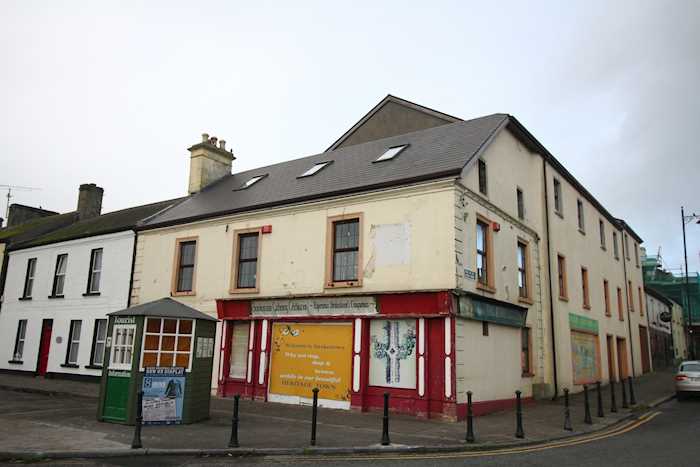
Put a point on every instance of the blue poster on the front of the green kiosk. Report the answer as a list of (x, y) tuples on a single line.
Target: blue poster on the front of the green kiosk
[(163, 395)]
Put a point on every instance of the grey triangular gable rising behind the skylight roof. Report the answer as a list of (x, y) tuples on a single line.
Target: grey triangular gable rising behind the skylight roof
[(392, 116)]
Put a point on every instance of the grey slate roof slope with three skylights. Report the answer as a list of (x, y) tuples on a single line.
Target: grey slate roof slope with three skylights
[(433, 153)]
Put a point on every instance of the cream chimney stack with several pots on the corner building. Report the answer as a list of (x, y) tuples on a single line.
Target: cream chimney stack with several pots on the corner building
[(208, 162)]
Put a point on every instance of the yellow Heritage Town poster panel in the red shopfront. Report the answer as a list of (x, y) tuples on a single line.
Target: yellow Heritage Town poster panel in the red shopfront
[(305, 356)]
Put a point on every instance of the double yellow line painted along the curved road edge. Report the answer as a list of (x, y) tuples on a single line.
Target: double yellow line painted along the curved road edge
[(616, 431)]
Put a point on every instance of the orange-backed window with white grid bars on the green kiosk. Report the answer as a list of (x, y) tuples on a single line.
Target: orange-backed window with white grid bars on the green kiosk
[(167, 342)]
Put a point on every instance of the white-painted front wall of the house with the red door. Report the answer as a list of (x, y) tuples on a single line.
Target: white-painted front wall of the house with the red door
[(114, 292)]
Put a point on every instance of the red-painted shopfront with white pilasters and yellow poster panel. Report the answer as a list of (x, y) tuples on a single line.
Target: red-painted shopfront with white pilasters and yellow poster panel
[(353, 348)]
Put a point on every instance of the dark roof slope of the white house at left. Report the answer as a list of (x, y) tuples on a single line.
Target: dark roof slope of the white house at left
[(110, 222)]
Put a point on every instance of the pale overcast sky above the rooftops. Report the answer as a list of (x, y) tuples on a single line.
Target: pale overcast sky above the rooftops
[(114, 92)]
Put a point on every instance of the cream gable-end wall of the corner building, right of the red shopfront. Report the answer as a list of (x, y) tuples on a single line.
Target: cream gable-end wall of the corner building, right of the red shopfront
[(509, 166)]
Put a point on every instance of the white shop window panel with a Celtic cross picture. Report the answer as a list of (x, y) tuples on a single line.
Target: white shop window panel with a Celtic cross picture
[(393, 353)]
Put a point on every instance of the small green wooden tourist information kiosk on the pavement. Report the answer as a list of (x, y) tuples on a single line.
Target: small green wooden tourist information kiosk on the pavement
[(165, 349)]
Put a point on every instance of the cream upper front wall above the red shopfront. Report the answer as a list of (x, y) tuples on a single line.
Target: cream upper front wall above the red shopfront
[(292, 257)]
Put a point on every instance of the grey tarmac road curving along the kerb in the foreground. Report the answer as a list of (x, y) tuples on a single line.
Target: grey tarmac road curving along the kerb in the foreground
[(669, 437)]
